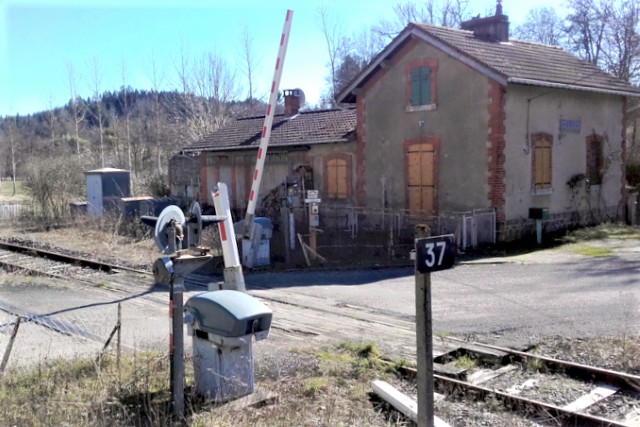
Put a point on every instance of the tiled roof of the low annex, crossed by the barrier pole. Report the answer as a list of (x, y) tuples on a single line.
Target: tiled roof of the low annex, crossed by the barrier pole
[(305, 128)]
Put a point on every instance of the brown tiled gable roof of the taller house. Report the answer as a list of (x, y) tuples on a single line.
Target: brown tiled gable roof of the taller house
[(514, 61)]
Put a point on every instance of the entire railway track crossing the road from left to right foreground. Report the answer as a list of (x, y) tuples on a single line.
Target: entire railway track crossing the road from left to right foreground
[(595, 396)]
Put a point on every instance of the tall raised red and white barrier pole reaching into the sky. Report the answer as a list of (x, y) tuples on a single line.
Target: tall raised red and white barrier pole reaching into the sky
[(248, 255)]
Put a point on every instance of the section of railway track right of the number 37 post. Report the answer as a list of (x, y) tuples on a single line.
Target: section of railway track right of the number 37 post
[(552, 391)]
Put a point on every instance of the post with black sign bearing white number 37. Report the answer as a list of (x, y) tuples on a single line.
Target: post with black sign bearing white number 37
[(432, 254)]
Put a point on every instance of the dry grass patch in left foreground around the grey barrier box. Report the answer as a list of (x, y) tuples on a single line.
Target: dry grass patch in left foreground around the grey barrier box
[(327, 387)]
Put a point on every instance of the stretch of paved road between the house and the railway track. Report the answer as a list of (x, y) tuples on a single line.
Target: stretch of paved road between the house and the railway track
[(511, 301)]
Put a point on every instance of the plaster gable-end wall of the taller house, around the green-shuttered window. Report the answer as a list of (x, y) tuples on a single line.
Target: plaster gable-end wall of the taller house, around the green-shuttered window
[(458, 120)]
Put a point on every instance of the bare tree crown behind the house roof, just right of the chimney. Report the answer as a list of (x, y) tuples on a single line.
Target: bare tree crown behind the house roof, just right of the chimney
[(542, 25)]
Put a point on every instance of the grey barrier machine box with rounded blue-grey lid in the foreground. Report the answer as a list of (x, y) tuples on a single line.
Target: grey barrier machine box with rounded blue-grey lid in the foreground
[(222, 324)]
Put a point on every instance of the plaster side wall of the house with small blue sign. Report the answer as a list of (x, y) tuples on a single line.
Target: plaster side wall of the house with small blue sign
[(598, 113)]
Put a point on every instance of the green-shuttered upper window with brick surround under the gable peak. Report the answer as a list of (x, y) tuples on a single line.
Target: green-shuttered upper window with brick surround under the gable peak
[(421, 84)]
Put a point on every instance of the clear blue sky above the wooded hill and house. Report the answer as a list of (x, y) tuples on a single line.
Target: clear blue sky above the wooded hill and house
[(38, 38)]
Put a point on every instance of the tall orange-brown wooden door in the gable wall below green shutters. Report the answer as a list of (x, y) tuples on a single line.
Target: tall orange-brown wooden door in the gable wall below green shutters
[(420, 179)]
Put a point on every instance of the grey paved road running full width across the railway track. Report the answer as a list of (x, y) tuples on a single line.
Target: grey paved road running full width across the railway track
[(510, 302)]
